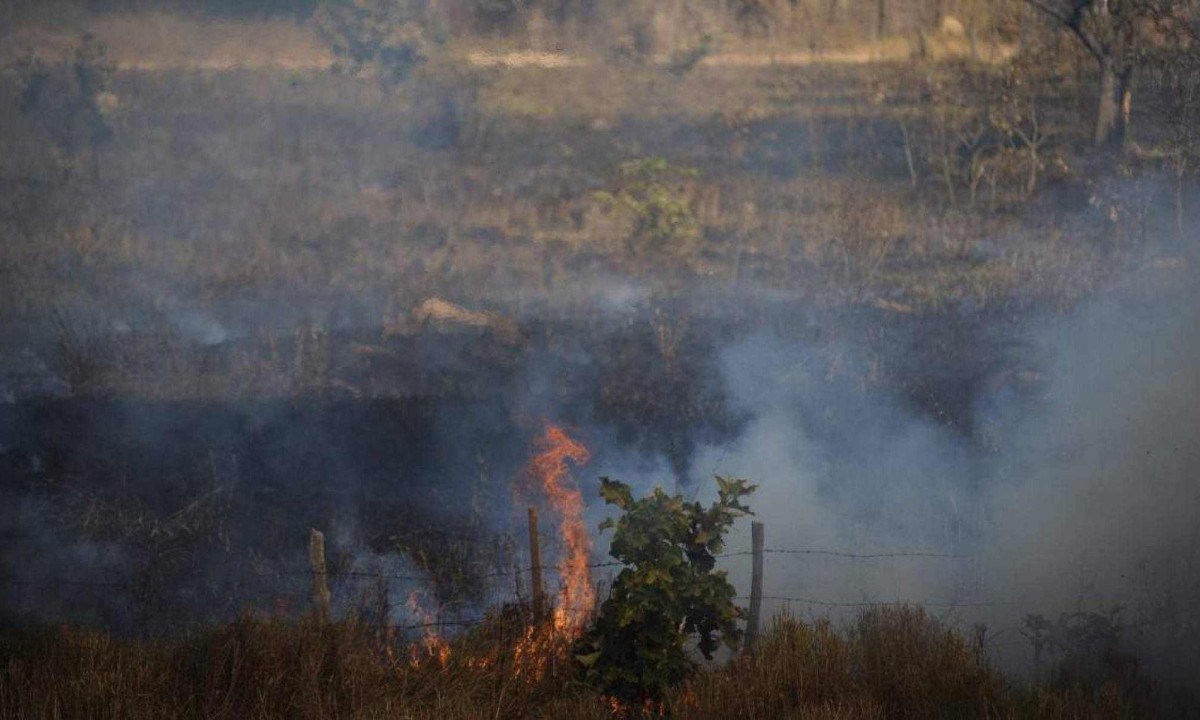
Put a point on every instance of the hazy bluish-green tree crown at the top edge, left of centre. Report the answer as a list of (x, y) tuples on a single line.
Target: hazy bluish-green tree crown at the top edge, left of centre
[(387, 37)]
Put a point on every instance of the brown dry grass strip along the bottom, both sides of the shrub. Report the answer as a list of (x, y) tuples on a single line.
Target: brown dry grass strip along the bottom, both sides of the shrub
[(892, 663)]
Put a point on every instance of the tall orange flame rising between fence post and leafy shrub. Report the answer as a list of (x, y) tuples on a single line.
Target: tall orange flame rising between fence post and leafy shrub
[(549, 467)]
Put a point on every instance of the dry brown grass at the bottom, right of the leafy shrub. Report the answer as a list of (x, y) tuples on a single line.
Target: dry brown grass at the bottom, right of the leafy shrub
[(892, 663)]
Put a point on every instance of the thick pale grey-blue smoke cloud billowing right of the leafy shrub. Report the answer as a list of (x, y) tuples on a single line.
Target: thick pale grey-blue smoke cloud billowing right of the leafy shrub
[(1078, 494)]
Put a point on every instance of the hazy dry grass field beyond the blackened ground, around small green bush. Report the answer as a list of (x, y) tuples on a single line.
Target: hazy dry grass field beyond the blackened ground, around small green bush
[(232, 183)]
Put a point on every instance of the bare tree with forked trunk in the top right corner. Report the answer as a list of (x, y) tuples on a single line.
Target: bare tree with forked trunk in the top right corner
[(1115, 34)]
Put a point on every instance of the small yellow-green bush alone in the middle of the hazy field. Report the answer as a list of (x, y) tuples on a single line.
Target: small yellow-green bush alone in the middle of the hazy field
[(657, 195)]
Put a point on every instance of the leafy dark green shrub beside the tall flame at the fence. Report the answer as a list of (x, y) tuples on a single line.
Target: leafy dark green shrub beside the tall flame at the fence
[(668, 596)]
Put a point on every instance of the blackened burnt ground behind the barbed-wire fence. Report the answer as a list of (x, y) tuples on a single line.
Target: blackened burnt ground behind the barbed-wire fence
[(188, 509)]
